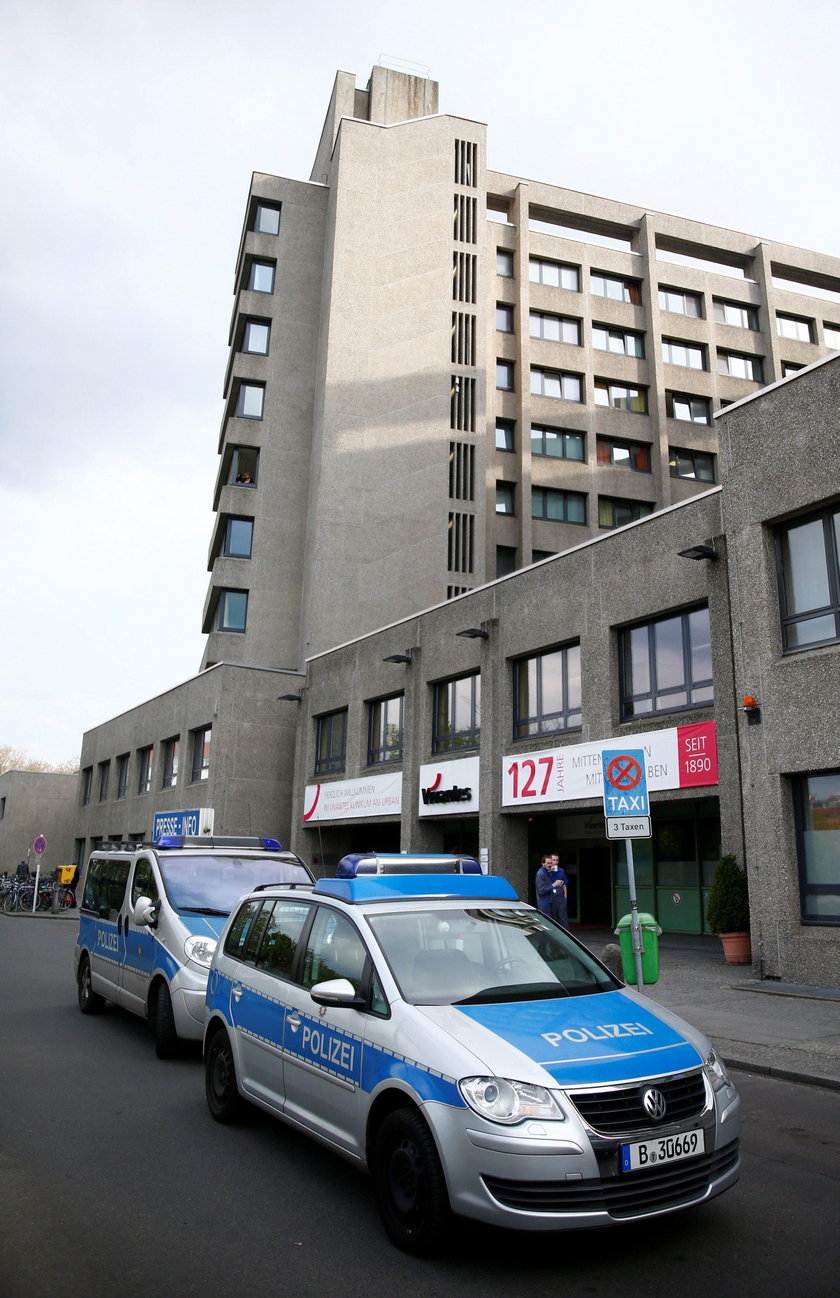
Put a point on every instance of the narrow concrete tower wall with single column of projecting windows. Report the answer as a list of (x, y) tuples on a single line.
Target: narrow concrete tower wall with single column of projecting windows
[(280, 502)]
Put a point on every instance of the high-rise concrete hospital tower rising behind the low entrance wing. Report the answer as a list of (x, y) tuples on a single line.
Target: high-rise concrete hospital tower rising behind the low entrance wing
[(441, 373)]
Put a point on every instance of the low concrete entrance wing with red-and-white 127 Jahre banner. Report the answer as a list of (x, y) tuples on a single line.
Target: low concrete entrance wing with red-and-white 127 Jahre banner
[(480, 725)]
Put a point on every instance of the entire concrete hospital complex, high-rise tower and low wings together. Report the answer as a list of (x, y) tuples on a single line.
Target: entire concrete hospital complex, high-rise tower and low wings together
[(473, 437)]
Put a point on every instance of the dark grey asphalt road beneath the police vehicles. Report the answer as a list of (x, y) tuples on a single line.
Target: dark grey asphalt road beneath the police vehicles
[(115, 1183)]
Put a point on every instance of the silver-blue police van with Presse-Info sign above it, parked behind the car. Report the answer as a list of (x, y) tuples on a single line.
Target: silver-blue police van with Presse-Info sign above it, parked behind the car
[(150, 920)]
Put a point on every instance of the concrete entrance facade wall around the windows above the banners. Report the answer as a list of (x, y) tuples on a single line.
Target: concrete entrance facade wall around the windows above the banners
[(587, 595)]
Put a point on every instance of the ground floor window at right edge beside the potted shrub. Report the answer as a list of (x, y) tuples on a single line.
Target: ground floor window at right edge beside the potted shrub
[(819, 833)]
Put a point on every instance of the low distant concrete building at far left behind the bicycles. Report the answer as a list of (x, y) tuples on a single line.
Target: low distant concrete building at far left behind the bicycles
[(38, 804)]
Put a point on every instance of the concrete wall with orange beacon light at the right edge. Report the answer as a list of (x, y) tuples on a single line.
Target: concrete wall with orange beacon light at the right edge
[(782, 459)]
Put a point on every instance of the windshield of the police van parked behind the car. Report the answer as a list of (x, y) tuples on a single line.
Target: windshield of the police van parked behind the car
[(212, 886)]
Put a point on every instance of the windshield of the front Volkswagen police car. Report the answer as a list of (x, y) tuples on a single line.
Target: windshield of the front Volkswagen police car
[(482, 956)]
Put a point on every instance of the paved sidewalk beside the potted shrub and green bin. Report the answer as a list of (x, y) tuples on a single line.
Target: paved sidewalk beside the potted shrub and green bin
[(767, 1027)]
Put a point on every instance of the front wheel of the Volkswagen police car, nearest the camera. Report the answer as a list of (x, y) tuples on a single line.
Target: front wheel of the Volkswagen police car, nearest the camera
[(410, 1186)]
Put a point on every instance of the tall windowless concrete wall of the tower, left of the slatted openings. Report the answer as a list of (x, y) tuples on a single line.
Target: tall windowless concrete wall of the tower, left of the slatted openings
[(377, 543)]
